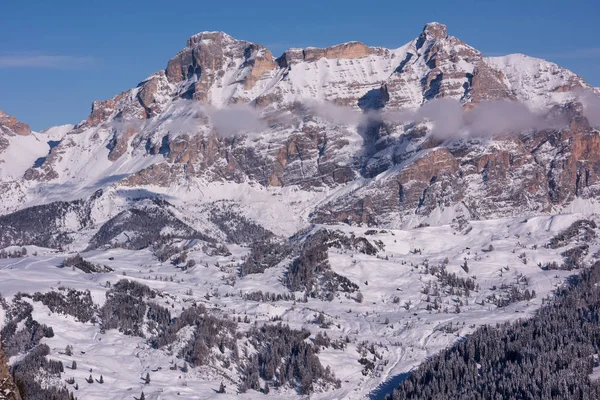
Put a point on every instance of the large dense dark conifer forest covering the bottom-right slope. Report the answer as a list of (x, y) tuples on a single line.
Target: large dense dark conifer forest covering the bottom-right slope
[(549, 356)]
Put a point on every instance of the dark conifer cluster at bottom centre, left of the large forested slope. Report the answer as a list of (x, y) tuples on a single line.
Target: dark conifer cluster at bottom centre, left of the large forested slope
[(284, 358)]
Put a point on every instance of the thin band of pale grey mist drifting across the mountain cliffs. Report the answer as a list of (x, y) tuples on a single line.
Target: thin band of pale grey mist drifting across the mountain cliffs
[(449, 119)]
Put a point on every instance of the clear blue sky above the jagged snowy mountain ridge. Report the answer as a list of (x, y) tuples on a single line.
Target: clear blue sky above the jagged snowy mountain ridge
[(56, 57)]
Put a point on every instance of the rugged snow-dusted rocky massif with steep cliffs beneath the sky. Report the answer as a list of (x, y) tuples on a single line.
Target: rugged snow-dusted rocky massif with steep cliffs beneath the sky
[(309, 119)]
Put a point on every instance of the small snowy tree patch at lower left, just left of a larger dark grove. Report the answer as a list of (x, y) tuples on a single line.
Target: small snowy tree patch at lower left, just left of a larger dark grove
[(73, 302)]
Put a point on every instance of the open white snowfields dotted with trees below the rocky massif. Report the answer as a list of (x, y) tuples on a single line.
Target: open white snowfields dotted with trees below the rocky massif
[(402, 331)]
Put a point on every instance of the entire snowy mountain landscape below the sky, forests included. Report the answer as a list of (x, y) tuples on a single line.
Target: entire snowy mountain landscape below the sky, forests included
[(336, 223)]
